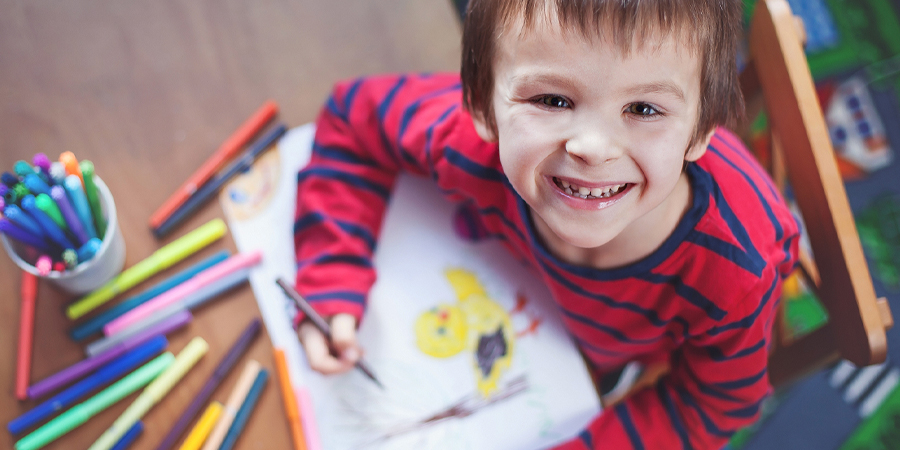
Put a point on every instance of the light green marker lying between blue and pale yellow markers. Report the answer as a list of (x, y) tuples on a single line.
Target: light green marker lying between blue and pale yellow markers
[(80, 413)]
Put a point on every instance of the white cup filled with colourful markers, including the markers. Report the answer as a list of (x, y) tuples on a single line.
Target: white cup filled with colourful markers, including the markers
[(59, 222)]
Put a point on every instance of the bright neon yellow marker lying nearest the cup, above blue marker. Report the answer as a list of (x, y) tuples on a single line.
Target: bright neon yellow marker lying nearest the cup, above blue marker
[(161, 259)]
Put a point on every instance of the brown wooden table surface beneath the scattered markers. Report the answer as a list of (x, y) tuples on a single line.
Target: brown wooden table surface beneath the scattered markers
[(147, 90)]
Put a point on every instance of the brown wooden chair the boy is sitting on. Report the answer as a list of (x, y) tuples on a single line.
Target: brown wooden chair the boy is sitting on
[(777, 79)]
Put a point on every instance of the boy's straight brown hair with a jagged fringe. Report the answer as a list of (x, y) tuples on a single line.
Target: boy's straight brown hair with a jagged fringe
[(712, 28)]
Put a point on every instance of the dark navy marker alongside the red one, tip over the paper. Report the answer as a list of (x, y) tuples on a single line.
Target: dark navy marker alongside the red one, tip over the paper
[(208, 190)]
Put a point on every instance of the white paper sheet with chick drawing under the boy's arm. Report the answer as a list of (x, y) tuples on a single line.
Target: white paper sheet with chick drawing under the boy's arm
[(416, 249)]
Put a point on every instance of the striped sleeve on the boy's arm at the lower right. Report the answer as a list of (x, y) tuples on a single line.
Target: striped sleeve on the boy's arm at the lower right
[(716, 386)]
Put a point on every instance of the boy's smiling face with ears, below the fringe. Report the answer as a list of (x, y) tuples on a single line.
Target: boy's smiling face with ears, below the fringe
[(577, 116)]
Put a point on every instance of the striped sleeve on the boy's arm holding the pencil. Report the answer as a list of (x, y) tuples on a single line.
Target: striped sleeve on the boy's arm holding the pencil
[(368, 131)]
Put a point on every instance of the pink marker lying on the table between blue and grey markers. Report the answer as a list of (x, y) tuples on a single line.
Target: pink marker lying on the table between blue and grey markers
[(178, 293)]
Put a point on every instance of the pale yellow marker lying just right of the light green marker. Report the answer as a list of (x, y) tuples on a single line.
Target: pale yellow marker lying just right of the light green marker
[(158, 389)]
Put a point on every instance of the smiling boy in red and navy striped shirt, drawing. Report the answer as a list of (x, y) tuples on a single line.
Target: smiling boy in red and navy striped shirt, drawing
[(584, 135)]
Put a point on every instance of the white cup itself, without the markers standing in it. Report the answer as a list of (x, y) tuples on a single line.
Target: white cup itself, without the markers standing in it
[(93, 273)]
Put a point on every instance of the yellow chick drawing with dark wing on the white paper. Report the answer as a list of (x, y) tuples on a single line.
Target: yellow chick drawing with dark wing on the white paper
[(477, 324)]
